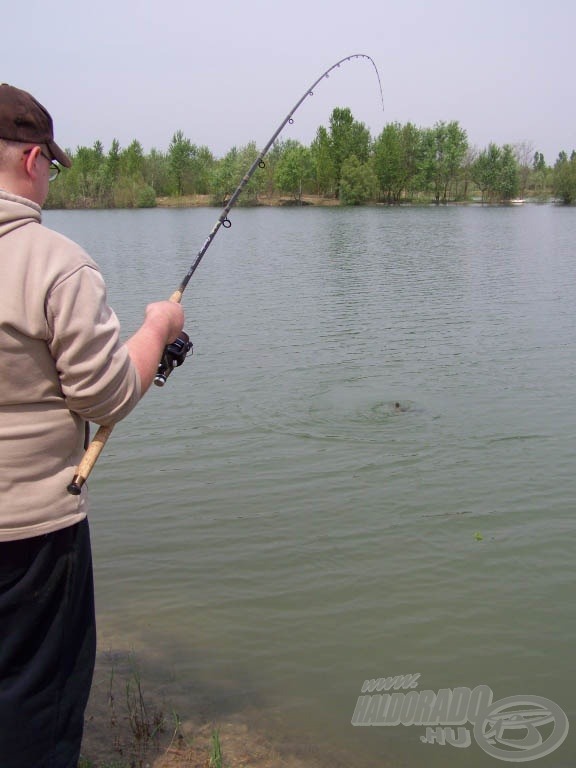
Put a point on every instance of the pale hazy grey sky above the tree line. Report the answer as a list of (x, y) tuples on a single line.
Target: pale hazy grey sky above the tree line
[(226, 73)]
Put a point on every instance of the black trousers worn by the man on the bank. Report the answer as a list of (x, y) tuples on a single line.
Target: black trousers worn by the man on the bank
[(47, 647)]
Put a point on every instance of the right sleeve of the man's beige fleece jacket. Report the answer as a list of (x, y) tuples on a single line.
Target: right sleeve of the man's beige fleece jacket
[(98, 379)]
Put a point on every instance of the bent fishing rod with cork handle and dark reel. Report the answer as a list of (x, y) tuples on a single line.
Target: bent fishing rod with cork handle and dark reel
[(176, 352)]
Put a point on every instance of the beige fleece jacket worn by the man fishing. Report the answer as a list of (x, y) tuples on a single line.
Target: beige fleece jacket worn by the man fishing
[(61, 364)]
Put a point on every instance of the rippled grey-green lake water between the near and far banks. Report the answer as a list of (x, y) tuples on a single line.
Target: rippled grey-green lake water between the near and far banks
[(276, 530)]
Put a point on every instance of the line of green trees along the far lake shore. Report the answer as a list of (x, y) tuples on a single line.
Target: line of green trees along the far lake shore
[(404, 163)]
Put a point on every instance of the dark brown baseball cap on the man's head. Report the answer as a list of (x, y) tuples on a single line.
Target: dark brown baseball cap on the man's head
[(24, 119)]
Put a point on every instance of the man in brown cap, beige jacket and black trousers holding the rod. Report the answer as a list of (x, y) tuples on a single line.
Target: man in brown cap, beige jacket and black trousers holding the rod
[(62, 364)]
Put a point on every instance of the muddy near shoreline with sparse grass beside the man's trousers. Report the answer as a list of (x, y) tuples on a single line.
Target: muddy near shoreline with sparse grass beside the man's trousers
[(140, 714)]
